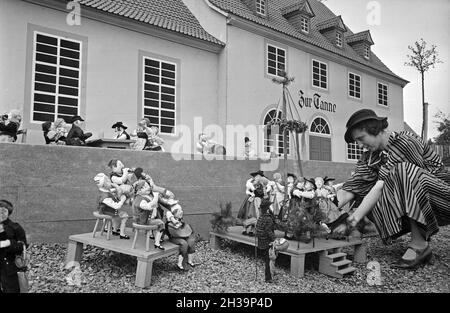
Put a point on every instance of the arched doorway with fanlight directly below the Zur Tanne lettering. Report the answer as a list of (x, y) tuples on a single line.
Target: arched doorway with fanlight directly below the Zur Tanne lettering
[(320, 140)]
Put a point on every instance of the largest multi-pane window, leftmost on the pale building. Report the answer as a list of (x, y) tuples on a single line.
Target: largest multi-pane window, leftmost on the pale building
[(56, 78)]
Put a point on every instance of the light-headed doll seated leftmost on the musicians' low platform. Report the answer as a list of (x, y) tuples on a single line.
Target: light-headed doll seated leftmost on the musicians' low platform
[(110, 203)]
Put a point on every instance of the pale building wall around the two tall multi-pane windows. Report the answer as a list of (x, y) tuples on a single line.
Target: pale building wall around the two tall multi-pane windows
[(112, 77)]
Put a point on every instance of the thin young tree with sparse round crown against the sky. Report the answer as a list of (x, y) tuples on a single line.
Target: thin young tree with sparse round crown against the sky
[(423, 59)]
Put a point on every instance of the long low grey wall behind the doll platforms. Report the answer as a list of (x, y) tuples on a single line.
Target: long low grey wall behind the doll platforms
[(54, 194)]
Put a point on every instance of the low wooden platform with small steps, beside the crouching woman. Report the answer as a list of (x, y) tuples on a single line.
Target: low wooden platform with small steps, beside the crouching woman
[(297, 251)]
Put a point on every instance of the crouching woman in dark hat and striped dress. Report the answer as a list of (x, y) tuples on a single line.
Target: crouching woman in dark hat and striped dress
[(400, 183)]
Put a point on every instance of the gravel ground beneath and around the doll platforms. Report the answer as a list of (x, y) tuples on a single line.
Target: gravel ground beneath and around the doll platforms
[(232, 269)]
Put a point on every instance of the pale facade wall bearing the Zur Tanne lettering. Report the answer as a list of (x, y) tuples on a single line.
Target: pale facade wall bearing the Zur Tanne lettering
[(251, 93)]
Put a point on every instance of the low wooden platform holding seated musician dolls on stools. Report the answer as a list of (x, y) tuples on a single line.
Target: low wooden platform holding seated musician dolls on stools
[(144, 259)]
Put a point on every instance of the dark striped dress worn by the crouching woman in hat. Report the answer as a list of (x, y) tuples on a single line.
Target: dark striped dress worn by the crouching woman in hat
[(416, 186)]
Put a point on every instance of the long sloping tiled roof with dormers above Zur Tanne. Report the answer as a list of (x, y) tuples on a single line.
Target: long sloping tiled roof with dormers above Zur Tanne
[(275, 21)]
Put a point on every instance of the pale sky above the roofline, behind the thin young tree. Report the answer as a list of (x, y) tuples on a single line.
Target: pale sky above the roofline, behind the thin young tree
[(401, 23)]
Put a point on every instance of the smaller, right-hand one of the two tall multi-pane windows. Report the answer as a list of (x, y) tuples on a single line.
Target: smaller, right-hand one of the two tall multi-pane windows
[(159, 92)]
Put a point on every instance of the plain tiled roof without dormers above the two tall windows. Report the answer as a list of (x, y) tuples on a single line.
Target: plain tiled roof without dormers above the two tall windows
[(172, 15)]
